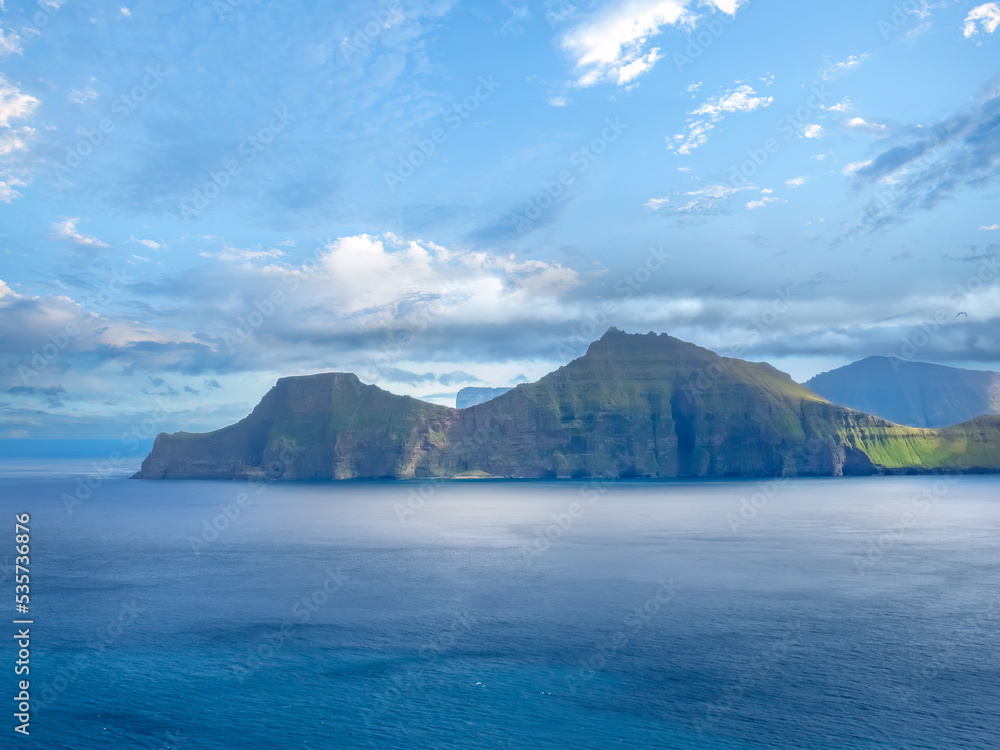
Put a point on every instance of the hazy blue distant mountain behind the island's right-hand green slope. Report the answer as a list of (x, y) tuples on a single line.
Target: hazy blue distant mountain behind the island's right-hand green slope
[(911, 393)]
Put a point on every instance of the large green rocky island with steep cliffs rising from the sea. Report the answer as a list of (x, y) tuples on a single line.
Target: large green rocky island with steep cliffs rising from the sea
[(632, 406)]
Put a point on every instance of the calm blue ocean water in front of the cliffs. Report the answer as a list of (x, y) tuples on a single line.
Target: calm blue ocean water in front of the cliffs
[(821, 614)]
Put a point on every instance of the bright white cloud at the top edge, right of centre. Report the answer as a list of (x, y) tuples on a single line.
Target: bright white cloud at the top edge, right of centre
[(614, 43)]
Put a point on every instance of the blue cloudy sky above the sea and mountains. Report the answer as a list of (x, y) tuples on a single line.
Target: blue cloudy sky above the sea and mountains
[(197, 199)]
